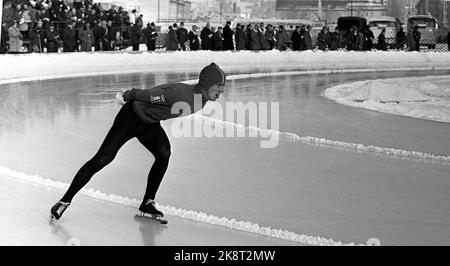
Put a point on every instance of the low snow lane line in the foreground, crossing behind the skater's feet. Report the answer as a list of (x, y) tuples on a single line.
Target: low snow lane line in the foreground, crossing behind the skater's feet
[(245, 226)]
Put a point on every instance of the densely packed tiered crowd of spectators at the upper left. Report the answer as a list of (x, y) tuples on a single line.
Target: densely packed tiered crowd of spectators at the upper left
[(76, 25)]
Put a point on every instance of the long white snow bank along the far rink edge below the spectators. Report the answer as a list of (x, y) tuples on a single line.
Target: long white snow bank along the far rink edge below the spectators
[(57, 65)]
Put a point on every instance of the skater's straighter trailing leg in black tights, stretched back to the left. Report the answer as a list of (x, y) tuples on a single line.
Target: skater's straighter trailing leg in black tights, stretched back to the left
[(122, 130)]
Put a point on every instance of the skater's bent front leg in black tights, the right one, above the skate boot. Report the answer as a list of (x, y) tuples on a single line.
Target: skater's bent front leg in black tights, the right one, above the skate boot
[(157, 142)]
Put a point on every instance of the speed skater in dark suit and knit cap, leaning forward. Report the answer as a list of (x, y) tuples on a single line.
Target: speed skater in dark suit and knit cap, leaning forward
[(139, 118)]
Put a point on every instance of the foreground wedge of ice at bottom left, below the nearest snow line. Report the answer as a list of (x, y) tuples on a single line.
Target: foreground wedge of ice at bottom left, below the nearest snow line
[(96, 222)]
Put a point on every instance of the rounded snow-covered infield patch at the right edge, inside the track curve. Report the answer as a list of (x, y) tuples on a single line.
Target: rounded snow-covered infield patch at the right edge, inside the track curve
[(423, 97)]
